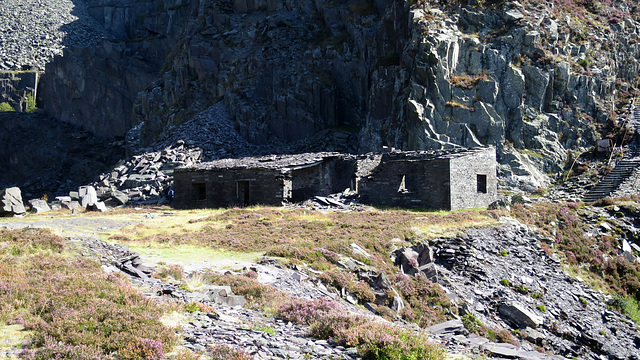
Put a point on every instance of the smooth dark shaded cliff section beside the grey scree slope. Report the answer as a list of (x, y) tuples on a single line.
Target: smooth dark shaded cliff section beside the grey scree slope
[(95, 87)]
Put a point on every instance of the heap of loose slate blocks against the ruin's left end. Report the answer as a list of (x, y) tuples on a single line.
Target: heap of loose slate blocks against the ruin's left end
[(145, 178)]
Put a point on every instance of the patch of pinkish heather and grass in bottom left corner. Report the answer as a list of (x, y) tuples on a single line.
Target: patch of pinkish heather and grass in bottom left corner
[(71, 307)]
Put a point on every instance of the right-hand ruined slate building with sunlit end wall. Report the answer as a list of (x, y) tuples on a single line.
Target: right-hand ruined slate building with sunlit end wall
[(441, 179)]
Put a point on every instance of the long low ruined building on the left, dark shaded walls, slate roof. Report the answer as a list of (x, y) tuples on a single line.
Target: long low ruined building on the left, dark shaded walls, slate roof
[(267, 180)]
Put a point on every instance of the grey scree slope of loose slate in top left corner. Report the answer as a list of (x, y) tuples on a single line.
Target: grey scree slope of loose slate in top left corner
[(32, 32)]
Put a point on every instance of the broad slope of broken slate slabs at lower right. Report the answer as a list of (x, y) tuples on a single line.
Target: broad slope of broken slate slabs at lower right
[(516, 286)]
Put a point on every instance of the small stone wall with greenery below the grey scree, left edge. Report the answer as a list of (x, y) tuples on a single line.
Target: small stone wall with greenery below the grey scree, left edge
[(16, 86)]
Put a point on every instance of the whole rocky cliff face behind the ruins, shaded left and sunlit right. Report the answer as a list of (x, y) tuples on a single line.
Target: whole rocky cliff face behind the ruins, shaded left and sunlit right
[(536, 79)]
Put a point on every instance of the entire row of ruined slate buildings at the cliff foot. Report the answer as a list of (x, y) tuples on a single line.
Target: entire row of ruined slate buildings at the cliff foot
[(442, 179)]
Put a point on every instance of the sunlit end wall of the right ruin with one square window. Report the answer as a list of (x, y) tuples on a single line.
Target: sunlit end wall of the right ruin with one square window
[(474, 183)]
